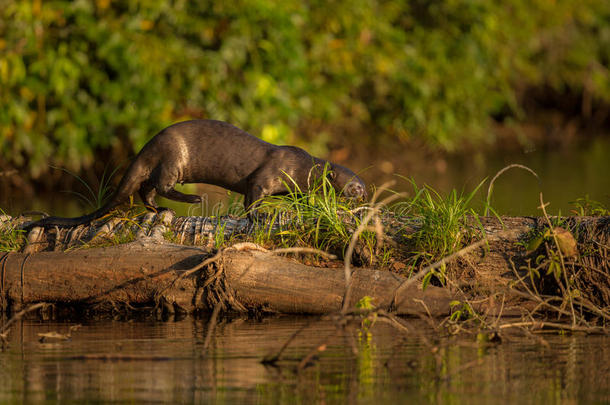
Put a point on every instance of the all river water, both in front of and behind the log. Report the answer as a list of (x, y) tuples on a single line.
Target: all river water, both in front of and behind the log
[(143, 361)]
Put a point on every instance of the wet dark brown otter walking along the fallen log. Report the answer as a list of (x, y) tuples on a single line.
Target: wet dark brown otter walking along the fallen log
[(218, 153)]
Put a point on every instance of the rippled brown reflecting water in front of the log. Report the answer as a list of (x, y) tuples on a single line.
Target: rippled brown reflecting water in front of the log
[(155, 361)]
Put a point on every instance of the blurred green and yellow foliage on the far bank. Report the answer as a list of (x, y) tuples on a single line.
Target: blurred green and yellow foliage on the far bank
[(77, 77)]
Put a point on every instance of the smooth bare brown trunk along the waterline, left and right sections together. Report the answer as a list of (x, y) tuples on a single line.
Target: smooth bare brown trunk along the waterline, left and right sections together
[(141, 273)]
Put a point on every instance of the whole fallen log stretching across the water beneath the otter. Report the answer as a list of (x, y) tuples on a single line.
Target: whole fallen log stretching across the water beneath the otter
[(496, 275)]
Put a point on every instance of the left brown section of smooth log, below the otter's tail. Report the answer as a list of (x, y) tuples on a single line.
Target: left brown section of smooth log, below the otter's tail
[(132, 273)]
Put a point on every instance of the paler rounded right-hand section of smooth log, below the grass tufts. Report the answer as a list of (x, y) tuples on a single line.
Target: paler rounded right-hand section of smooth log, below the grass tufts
[(262, 280)]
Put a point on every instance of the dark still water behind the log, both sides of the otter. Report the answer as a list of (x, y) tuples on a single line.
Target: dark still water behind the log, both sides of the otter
[(566, 174)]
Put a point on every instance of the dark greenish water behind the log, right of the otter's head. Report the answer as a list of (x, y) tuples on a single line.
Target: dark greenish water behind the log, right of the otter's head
[(564, 175)]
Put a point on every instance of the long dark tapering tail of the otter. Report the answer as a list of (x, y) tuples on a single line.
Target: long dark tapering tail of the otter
[(129, 184)]
